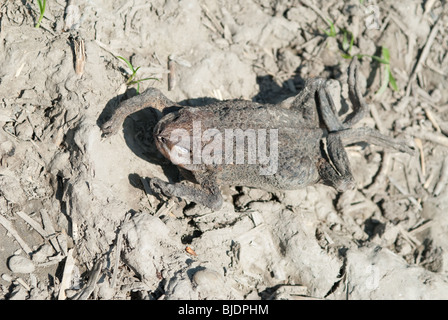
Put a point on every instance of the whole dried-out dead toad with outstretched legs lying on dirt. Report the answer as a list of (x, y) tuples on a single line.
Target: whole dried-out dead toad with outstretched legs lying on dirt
[(303, 136)]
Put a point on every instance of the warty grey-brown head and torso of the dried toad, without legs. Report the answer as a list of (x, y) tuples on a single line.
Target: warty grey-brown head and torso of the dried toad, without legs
[(298, 143)]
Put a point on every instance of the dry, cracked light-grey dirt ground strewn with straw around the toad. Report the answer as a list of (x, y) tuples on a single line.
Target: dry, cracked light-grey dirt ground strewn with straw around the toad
[(79, 222)]
